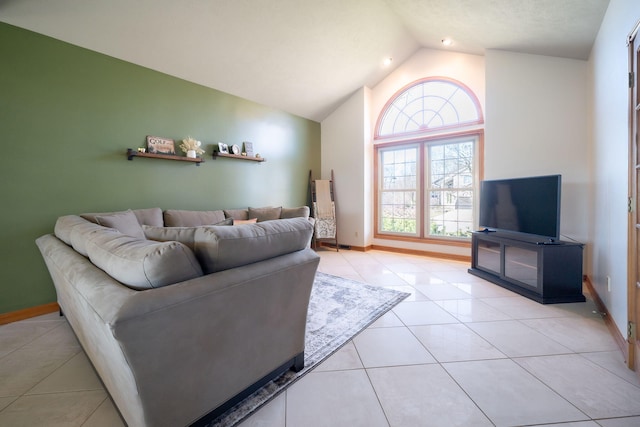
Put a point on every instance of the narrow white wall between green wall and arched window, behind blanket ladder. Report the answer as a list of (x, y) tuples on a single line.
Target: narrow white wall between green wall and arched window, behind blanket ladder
[(345, 149)]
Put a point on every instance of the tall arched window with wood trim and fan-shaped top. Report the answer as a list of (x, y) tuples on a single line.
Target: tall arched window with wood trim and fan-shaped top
[(428, 172)]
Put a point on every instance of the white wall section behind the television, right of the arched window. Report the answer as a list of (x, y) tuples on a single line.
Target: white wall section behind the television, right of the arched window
[(536, 124)]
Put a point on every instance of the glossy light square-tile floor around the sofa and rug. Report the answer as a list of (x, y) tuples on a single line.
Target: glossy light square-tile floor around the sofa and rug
[(459, 351)]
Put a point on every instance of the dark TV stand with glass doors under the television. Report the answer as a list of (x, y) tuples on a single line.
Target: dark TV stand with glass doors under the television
[(544, 271)]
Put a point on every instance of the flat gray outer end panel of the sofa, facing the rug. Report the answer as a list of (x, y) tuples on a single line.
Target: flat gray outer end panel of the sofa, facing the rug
[(194, 345)]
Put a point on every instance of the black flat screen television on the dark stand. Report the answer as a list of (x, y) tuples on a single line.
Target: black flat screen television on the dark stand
[(528, 205)]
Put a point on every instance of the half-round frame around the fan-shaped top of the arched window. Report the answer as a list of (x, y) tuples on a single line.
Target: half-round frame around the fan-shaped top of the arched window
[(399, 93)]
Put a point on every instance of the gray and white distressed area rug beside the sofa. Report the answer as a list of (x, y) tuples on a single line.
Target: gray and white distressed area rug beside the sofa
[(339, 309)]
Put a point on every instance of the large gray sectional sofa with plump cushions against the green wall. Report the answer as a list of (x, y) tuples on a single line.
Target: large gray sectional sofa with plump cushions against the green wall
[(182, 318)]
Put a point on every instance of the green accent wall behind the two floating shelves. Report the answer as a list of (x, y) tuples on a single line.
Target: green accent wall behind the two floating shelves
[(67, 117)]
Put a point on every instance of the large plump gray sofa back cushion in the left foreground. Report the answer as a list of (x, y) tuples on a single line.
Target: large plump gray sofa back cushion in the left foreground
[(140, 263)]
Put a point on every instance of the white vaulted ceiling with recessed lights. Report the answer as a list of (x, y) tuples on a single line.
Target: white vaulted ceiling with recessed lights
[(305, 56)]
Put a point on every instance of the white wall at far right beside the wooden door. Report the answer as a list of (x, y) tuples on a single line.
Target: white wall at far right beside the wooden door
[(608, 67)]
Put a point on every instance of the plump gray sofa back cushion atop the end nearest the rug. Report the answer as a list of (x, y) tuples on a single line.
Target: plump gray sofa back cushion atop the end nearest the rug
[(220, 248)]
